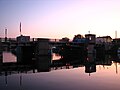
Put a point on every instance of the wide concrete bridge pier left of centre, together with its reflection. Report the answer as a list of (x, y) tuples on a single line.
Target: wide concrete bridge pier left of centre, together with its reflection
[(42, 54)]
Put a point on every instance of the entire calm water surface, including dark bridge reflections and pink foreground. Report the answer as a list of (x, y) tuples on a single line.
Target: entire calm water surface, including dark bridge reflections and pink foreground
[(64, 73)]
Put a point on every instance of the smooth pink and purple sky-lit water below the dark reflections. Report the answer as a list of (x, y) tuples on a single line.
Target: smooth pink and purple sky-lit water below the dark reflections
[(73, 79)]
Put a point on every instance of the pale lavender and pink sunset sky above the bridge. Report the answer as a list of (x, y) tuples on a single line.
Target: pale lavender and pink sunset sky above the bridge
[(59, 18)]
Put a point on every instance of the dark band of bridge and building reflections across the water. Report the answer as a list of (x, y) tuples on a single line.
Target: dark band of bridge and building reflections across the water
[(48, 63)]
